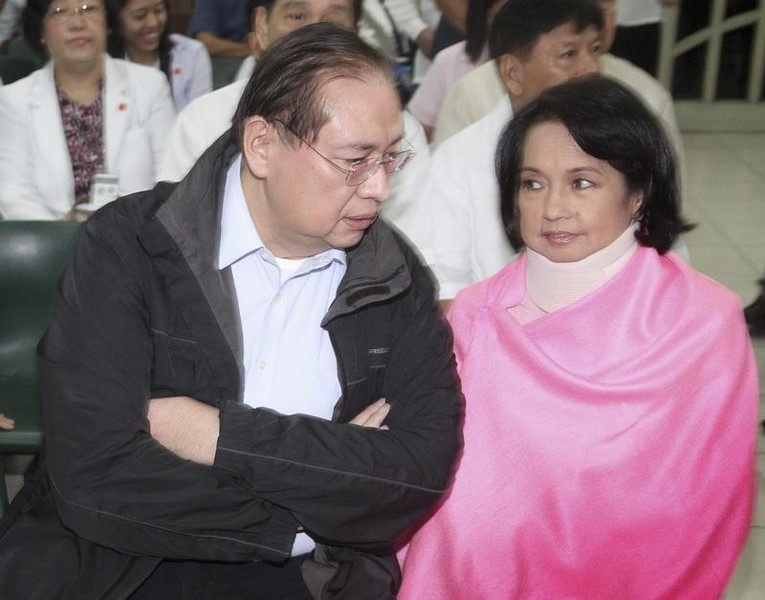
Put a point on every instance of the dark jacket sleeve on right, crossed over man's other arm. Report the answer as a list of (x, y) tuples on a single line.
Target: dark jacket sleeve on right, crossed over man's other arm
[(350, 485)]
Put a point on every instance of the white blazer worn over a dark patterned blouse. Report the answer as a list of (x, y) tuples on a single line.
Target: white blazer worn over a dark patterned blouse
[(36, 180)]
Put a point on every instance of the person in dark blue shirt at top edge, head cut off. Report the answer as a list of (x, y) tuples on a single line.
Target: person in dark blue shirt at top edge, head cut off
[(221, 25)]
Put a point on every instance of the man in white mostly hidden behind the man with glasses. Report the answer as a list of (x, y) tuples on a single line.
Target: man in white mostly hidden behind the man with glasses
[(209, 117)]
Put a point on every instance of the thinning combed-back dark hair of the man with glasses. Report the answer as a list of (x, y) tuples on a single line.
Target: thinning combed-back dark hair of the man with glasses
[(288, 80)]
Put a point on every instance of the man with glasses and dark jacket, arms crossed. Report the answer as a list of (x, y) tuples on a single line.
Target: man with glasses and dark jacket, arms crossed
[(244, 302)]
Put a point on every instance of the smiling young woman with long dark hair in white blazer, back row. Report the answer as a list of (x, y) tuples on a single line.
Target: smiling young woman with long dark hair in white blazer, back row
[(142, 36)]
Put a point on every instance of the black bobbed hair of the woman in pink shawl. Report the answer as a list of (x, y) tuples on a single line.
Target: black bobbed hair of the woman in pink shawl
[(610, 123)]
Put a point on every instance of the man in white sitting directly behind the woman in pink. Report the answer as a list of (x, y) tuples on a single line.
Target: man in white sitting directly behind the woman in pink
[(535, 44)]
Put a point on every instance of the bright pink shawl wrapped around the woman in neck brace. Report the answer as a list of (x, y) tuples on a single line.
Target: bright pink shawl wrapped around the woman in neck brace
[(609, 447)]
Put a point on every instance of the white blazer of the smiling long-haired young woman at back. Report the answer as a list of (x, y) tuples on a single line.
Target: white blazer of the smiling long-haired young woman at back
[(191, 70)]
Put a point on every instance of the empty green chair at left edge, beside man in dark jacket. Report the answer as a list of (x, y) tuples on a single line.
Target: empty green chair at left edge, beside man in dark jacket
[(33, 255)]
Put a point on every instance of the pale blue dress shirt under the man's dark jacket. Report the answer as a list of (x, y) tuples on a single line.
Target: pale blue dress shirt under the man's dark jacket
[(289, 362)]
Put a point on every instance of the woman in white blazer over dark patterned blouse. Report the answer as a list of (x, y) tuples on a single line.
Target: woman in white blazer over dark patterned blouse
[(83, 119)]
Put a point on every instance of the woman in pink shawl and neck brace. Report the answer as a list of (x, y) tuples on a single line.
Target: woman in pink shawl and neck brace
[(611, 392)]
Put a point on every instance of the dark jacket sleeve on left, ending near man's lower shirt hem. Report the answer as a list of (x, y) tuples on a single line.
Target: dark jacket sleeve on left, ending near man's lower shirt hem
[(112, 483)]
